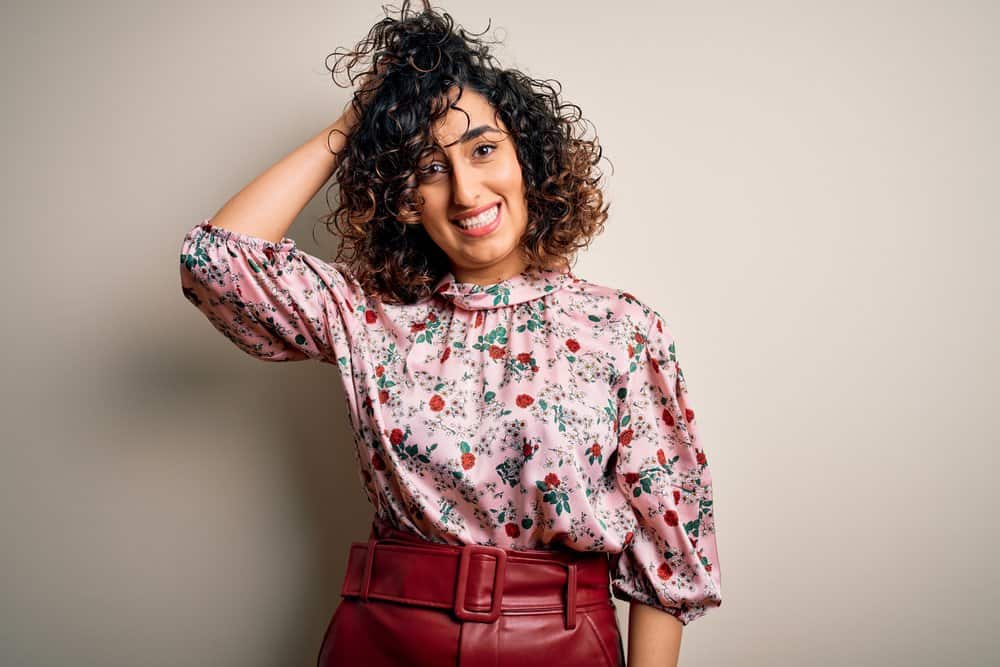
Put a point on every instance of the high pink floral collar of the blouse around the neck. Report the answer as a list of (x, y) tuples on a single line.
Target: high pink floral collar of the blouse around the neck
[(526, 286)]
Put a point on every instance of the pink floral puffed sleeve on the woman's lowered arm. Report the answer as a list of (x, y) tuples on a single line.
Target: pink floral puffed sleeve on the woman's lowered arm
[(670, 561)]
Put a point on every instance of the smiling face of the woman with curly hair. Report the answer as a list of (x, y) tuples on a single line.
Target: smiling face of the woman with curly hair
[(474, 170)]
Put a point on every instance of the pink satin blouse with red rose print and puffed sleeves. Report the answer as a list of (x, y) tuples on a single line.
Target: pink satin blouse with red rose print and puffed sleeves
[(543, 411)]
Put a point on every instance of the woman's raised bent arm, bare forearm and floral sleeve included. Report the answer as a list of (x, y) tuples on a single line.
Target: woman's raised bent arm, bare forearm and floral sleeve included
[(272, 300)]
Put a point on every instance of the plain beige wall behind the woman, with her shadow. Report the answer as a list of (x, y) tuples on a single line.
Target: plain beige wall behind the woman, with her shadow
[(807, 191)]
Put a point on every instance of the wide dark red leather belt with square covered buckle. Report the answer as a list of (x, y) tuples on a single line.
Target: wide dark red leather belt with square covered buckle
[(476, 582)]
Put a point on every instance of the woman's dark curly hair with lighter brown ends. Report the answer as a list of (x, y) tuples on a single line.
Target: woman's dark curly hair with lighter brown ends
[(415, 61)]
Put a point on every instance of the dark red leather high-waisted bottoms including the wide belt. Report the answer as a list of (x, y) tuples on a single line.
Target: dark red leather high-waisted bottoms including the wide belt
[(407, 601)]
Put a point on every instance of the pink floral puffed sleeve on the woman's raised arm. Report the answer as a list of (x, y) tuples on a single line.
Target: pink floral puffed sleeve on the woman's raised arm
[(272, 300)]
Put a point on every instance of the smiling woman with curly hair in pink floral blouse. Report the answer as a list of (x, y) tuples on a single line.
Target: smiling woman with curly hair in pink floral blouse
[(524, 435)]
